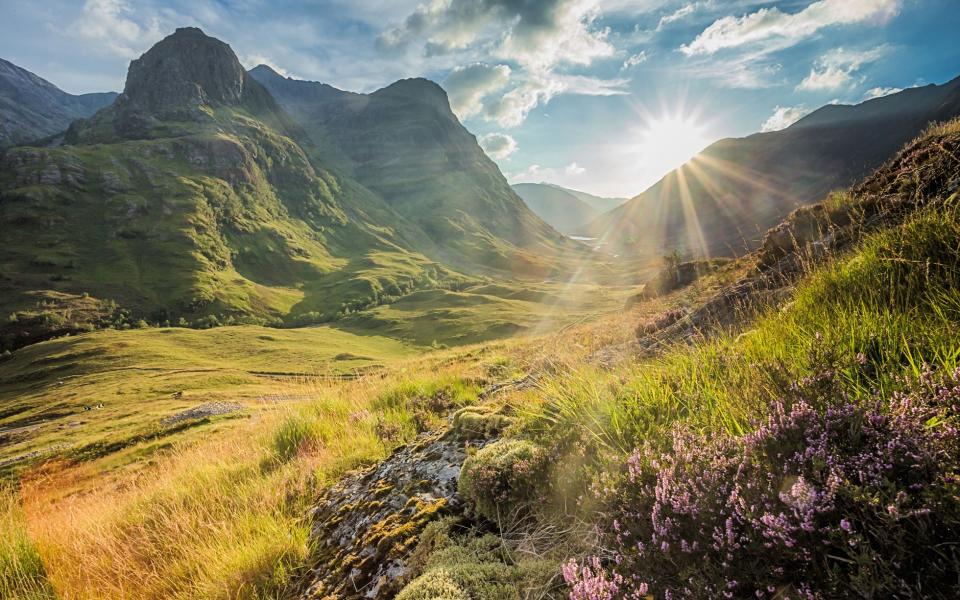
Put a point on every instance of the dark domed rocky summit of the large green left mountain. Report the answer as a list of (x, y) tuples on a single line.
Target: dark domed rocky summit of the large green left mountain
[(186, 69)]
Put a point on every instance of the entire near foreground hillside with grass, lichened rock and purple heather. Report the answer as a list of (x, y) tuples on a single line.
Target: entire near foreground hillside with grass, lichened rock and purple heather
[(784, 426)]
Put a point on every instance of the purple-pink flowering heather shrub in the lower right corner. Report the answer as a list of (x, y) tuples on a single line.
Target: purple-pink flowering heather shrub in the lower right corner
[(826, 499)]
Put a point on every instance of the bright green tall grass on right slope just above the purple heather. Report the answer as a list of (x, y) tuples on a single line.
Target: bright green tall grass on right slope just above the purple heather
[(895, 301)]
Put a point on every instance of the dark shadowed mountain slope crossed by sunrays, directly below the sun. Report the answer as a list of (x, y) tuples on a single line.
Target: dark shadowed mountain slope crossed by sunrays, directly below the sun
[(724, 199)]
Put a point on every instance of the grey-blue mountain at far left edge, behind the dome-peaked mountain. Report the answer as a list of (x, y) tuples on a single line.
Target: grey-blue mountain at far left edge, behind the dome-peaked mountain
[(32, 108)]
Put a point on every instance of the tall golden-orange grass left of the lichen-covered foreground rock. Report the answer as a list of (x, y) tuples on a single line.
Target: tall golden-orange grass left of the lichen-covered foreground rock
[(220, 519)]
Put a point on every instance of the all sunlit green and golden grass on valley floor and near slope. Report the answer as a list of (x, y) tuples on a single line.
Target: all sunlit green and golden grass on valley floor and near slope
[(217, 510)]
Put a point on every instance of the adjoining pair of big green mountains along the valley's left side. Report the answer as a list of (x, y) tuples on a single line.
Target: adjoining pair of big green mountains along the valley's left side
[(201, 194)]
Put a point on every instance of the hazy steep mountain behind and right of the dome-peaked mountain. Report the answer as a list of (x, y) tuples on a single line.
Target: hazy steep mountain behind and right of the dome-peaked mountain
[(404, 143)]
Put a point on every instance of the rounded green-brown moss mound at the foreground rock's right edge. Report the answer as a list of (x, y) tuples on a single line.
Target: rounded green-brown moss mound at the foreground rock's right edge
[(501, 479)]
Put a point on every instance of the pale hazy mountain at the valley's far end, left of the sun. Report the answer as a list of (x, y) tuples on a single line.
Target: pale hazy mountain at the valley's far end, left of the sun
[(568, 211)]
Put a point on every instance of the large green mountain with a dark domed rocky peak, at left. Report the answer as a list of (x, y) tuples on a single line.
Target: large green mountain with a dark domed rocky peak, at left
[(190, 198)]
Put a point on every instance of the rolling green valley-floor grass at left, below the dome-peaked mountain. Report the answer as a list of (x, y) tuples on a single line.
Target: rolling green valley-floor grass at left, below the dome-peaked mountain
[(142, 376)]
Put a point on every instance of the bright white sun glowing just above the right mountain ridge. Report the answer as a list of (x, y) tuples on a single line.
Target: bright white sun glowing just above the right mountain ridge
[(667, 142)]
